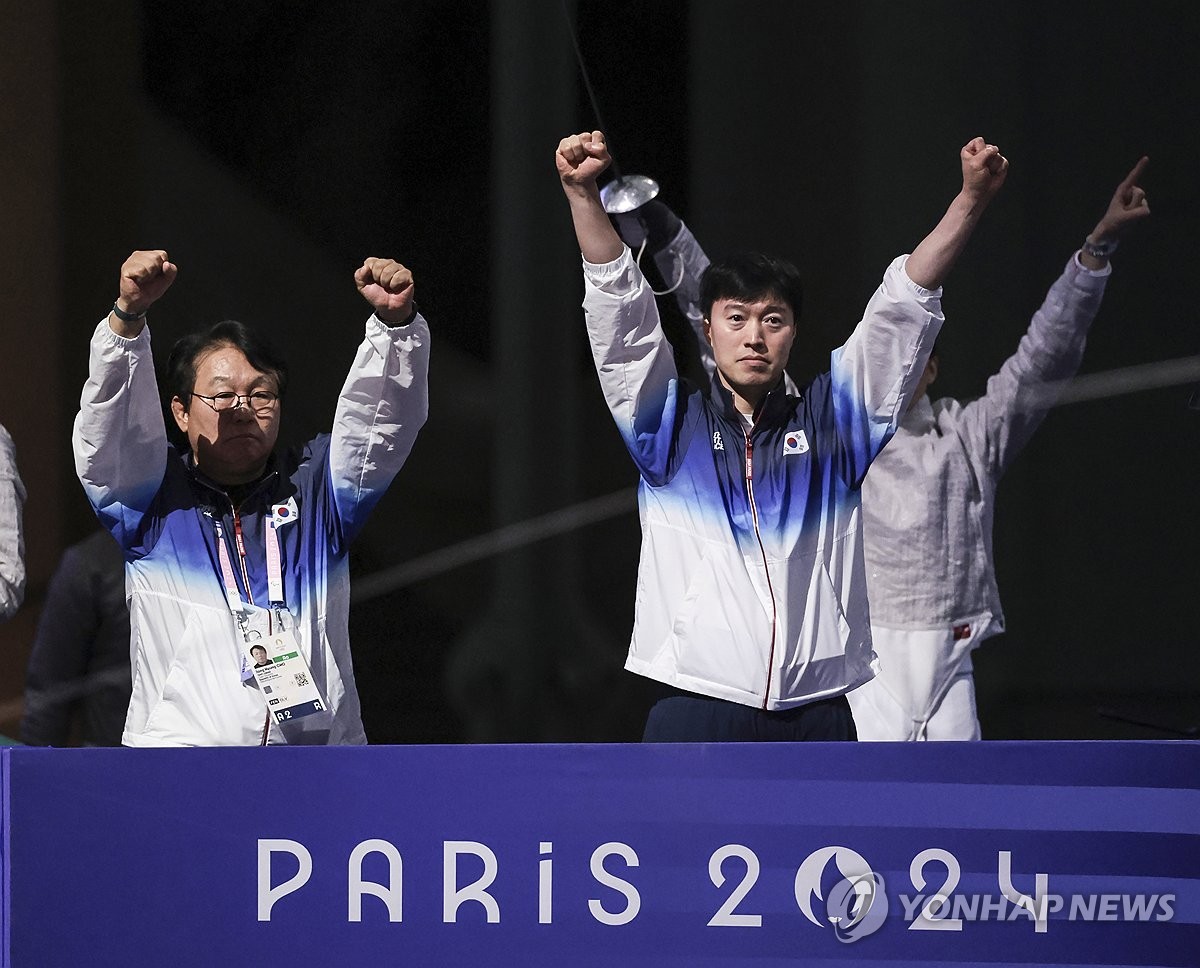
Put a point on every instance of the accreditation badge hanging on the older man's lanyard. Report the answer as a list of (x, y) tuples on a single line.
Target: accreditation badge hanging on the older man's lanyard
[(272, 651)]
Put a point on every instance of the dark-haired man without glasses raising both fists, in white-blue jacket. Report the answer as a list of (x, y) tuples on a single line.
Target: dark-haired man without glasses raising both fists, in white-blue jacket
[(752, 600)]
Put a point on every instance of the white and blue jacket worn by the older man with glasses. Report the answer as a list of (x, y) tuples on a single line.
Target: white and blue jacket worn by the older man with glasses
[(185, 648)]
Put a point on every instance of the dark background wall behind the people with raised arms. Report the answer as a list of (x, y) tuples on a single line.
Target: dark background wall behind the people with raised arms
[(272, 147)]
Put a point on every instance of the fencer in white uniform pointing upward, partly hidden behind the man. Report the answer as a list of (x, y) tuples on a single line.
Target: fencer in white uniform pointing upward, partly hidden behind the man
[(929, 497)]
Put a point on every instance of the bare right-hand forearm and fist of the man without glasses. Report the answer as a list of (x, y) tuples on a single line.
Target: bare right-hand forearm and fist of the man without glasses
[(985, 171)]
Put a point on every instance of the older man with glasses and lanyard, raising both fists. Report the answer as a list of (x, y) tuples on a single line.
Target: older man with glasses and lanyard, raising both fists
[(235, 549)]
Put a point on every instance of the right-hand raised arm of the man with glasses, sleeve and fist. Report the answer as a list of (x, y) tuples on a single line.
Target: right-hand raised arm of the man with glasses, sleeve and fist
[(385, 401)]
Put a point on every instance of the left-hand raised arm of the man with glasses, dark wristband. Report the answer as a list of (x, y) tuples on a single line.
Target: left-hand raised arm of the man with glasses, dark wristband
[(121, 441)]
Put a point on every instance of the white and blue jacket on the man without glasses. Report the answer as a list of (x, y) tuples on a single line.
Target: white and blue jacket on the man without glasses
[(752, 586)]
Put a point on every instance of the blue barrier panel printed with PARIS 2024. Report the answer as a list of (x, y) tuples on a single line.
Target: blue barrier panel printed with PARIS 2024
[(1047, 853)]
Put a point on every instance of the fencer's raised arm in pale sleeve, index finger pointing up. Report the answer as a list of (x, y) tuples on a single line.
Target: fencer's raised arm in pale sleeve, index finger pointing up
[(998, 425)]
